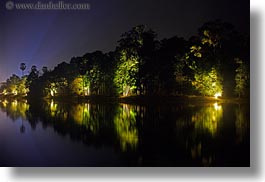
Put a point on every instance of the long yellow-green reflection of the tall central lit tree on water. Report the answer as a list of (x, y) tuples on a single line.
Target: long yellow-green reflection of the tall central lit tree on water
[(125, 125)]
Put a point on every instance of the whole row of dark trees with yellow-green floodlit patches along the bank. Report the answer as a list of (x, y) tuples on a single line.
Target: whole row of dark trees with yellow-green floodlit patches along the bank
[(215, 62)]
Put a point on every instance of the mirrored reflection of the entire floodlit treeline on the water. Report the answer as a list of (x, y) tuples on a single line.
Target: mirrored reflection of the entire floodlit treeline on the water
[(170, 135)]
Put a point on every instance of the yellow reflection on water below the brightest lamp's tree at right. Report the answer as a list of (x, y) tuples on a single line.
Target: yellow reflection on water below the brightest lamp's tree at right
[(205, 121)]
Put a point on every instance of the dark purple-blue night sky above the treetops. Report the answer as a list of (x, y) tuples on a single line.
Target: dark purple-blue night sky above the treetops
[(48, 37)]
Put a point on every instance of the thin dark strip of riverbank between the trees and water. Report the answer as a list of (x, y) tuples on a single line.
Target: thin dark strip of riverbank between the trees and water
[(139, 100)]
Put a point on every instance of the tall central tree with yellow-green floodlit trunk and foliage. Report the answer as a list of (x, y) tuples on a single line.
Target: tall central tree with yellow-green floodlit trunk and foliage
[(133, 67)]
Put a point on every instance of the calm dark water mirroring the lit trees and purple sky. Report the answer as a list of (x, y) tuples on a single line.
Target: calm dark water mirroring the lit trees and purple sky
[(89, 134)]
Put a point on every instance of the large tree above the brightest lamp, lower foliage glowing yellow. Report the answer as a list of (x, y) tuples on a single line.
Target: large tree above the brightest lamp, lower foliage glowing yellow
[(208, 52)]
